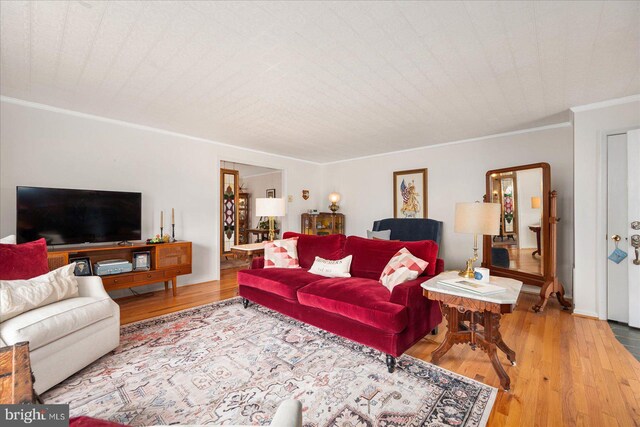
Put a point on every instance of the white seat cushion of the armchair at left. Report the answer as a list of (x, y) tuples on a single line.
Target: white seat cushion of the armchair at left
[(54, 321)]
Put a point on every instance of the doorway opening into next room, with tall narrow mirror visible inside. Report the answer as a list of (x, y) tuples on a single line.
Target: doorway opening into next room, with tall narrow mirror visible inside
[(240, 185)]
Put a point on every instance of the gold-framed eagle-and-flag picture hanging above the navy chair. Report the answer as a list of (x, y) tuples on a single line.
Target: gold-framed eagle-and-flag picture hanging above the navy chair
[(410, 193)]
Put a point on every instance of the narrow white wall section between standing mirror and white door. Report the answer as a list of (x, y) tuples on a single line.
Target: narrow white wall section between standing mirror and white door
[(591, 126)]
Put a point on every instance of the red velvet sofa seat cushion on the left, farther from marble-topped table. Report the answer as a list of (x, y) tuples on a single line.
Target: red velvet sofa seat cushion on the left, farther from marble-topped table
[(281, 281)]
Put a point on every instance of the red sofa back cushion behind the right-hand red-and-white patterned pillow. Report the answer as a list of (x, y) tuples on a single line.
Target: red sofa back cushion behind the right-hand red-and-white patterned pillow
[(371, 256)]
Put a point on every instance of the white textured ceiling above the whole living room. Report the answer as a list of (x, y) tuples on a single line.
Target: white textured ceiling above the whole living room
[(321, 80)]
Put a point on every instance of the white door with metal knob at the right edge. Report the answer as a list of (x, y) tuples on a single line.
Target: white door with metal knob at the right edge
[(623, 208)]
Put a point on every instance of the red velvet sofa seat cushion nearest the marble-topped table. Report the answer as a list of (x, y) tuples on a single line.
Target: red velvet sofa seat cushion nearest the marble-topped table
[(356, 298)]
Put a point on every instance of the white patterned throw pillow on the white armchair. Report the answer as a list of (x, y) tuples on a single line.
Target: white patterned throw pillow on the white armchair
[(19, 296)]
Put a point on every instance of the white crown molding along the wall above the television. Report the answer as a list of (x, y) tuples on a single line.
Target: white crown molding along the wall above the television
[(51, 108)]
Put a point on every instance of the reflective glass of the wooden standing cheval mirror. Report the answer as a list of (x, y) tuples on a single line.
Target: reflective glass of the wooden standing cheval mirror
[(519, 245)]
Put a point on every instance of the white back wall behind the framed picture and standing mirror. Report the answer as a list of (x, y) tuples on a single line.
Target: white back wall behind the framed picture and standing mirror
[(457, 174)]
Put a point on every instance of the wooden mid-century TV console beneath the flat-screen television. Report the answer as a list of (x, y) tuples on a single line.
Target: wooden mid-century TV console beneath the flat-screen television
[(168, 261)]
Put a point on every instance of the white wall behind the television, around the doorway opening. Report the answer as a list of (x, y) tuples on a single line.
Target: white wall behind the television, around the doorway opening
[(48, 147)]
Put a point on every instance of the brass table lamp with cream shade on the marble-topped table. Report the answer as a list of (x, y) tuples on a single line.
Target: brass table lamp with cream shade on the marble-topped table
[(476, 218)]
